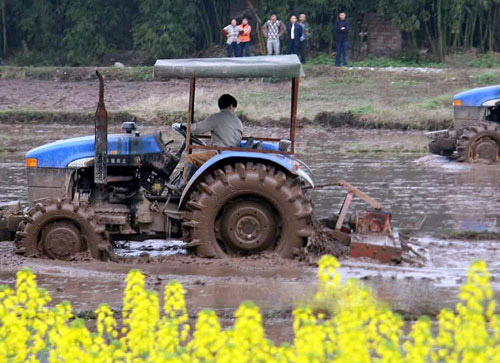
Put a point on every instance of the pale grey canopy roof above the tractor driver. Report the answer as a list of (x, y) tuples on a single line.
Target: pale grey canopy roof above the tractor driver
[(282, 66)]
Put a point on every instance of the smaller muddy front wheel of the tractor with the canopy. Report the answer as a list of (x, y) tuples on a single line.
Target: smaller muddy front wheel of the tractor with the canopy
[(60, 230)]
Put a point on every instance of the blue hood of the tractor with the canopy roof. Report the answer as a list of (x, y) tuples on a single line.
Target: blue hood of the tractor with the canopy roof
[(60, 153)]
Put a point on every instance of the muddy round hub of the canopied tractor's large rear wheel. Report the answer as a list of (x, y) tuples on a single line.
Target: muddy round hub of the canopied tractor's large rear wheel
[(248, 226)]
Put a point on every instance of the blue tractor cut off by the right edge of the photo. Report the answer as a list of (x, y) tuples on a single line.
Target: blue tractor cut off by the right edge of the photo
[(476, 134)]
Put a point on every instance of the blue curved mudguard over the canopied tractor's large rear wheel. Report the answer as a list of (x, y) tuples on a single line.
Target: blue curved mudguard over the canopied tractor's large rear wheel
[(281, 161)]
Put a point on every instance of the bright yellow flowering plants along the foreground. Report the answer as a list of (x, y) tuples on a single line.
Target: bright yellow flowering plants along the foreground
[(344, 323)]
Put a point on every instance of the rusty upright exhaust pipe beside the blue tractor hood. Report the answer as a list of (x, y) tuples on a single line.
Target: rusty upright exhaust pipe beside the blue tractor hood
[(101, 137)]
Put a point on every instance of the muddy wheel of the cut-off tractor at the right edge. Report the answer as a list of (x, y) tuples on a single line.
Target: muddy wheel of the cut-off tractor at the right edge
[(481, 142)]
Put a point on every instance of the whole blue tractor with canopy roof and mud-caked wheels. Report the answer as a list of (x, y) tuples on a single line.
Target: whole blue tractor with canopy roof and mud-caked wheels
[(86, 193)]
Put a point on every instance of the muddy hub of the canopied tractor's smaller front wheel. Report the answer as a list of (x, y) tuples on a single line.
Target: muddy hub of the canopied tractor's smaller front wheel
[(61, 240)]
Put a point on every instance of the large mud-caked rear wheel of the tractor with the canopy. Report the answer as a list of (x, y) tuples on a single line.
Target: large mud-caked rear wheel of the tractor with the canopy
[(245, 209)]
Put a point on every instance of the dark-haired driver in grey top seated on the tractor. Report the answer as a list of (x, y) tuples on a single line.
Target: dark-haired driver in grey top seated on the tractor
[(225, 130)]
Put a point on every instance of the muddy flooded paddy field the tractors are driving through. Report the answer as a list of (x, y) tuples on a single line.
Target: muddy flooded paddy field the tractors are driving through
[(457, 199)]
